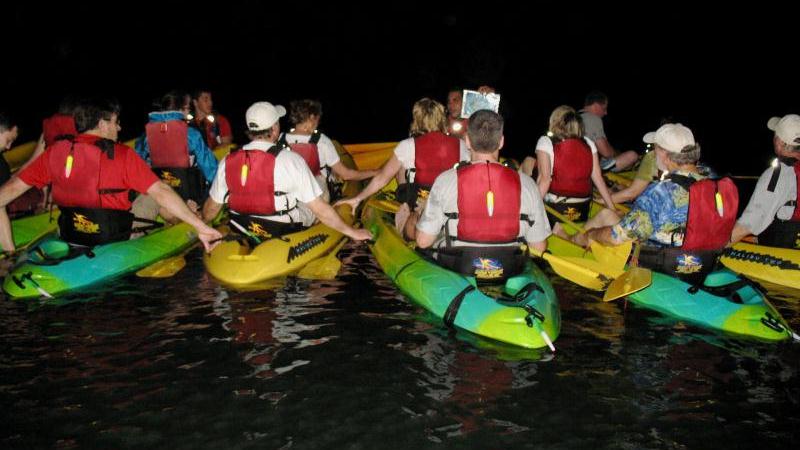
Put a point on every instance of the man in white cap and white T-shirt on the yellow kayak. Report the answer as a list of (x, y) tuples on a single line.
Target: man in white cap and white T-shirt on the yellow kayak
[(270, 190)]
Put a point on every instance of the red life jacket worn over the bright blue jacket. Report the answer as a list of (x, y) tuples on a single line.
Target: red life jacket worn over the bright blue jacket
[(169, 143)]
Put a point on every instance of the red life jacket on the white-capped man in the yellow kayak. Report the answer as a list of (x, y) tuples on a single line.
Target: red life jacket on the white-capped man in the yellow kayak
[(257, 195)]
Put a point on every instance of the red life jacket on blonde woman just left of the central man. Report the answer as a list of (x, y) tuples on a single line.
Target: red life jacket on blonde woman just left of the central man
[(434, 153)]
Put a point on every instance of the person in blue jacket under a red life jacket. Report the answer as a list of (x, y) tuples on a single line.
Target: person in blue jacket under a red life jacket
[(177, 153)]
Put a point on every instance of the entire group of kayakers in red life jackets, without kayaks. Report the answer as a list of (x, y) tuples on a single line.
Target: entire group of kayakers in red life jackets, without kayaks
[(460, 203)]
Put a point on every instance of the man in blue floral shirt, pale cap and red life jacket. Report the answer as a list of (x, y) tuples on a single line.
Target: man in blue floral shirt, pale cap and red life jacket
[(683, 222)]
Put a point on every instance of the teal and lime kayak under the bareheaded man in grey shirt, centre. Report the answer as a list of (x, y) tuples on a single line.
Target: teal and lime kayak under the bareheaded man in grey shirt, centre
[(525, 313)]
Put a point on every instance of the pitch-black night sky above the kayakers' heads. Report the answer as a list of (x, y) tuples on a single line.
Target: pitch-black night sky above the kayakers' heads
[(723, 73)]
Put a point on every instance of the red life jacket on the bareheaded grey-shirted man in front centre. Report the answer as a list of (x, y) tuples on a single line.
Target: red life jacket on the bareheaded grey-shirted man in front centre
[(479, 218)]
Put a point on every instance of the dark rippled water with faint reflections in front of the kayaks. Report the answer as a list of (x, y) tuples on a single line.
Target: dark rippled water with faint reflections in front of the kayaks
[(182, 363)]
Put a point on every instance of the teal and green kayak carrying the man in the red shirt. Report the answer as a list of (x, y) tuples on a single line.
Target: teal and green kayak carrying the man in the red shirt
[(39, 276)]
